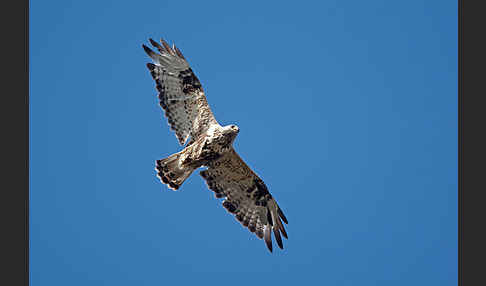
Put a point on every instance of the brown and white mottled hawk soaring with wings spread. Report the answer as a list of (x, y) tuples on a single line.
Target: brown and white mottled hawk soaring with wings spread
[(210, 145)]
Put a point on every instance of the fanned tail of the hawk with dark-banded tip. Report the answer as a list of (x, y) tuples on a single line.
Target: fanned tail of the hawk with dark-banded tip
[(171, 173)]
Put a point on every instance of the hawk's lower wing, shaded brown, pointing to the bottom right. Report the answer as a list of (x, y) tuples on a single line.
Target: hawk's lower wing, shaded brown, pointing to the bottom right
[(246, 196)]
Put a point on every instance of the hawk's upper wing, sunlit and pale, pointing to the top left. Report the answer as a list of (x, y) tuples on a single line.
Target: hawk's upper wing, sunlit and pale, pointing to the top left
[(180, 92)]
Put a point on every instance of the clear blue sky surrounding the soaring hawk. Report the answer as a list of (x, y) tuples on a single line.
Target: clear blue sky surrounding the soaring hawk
[(347, 110)]
